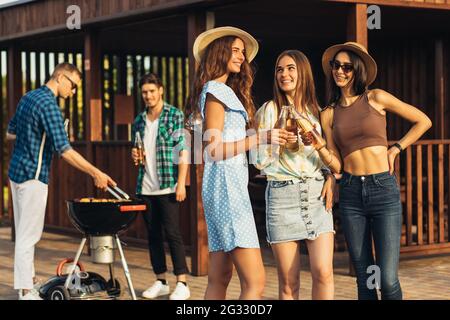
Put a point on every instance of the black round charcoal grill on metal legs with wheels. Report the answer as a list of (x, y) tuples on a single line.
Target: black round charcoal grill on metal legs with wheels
[(101, 222)]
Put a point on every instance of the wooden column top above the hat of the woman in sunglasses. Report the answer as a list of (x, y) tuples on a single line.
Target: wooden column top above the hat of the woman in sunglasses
[(357, 24)]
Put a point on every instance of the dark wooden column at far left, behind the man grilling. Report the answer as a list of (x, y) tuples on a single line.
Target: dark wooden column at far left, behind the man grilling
[(14, 93)]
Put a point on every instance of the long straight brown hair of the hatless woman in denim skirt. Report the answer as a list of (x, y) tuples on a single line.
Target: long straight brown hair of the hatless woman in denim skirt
[(305, 91)]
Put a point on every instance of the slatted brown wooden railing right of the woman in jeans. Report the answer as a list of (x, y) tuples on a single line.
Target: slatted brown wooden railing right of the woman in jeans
[(424, 181)]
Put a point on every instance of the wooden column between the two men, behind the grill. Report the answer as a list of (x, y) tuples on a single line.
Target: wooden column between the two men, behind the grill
[(93, 101)]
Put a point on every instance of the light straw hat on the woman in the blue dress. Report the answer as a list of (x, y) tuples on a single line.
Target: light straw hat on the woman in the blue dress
[(205, 38)]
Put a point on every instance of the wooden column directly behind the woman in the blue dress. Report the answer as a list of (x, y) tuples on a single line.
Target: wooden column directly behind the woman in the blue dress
[(199, 240)]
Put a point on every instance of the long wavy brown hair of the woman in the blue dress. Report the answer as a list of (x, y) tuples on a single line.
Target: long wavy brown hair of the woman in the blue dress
[(213, 65)]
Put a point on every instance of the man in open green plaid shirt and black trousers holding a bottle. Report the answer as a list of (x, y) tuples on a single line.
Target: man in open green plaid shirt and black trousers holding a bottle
[(162, 184)]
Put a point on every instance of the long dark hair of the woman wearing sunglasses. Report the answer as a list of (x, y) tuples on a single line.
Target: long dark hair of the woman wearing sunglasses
[(359, 85)]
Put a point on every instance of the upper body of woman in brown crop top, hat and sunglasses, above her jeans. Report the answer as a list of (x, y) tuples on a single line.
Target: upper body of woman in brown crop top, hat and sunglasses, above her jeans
[(350, 70)]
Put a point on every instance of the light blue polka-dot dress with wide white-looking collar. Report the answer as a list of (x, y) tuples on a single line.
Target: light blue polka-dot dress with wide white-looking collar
[(226, 202)]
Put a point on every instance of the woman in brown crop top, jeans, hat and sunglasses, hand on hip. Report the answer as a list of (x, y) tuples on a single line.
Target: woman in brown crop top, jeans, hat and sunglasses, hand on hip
[(354, 125)]
